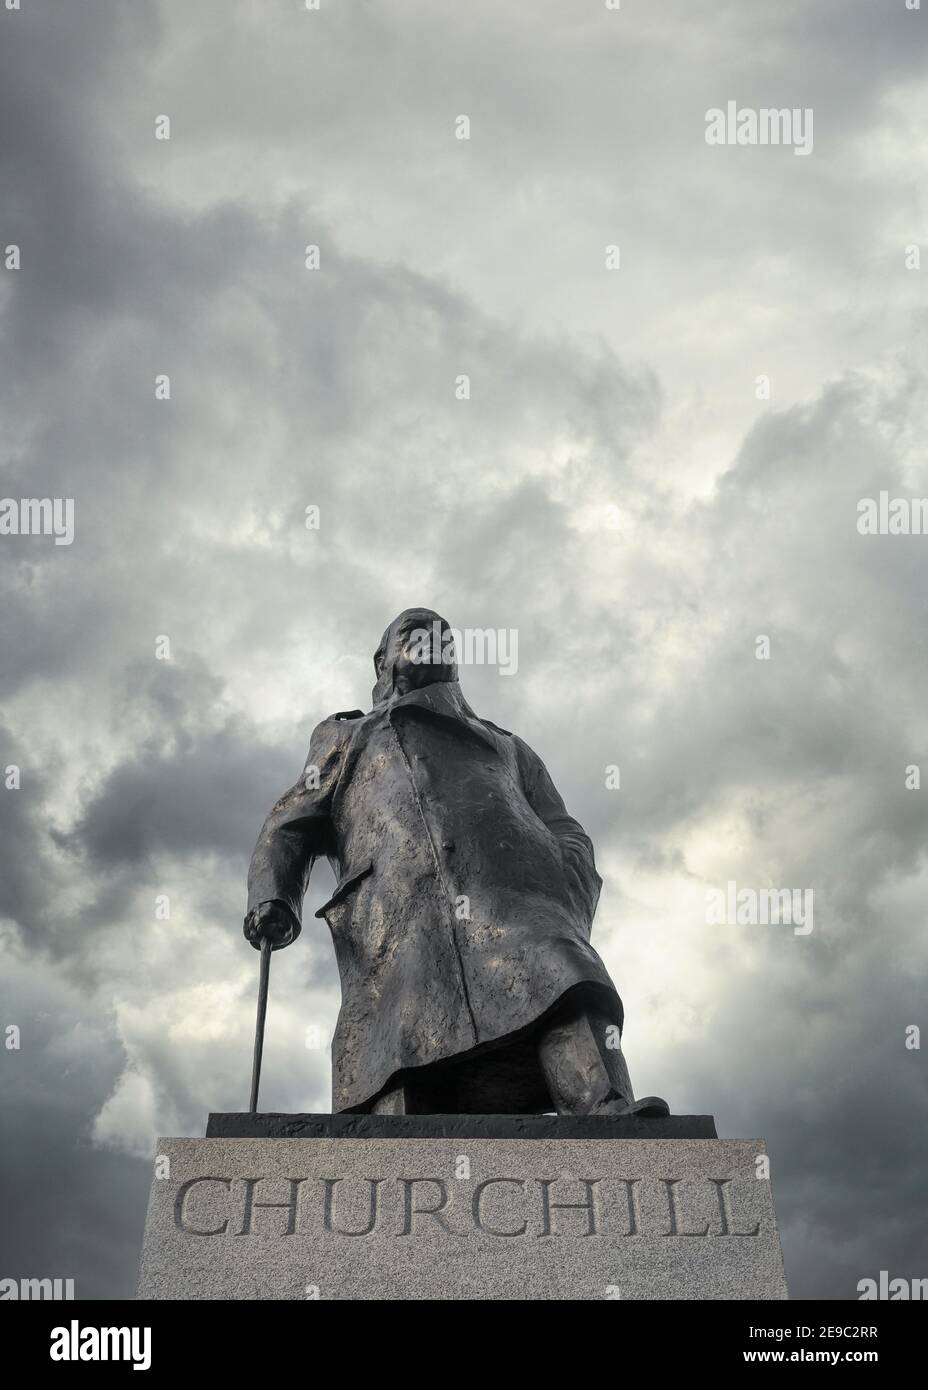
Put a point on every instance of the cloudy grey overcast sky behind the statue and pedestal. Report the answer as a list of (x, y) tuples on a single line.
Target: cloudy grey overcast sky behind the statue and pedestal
[(613, 490)]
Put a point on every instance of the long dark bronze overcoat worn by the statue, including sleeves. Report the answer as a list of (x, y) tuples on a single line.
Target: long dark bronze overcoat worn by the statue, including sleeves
[(466, 892)]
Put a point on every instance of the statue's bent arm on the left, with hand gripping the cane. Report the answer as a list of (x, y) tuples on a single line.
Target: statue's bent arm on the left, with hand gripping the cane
[(297, 832)]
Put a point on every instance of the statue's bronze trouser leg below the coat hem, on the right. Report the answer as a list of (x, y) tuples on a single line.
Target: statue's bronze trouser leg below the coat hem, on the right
[(584, 1065)]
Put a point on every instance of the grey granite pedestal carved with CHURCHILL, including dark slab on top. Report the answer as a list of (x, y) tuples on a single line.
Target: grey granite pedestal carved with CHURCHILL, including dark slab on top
[(461, 1207)]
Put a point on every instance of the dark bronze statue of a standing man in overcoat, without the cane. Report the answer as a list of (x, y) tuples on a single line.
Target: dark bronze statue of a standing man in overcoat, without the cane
[(463, 910)]
